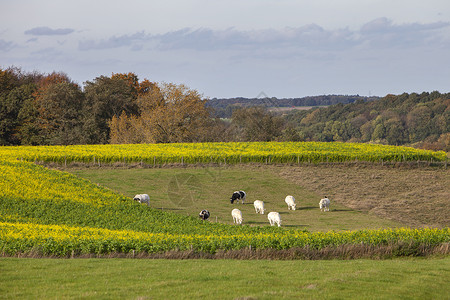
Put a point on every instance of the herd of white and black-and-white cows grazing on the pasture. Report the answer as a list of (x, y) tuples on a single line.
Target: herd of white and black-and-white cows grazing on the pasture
[(274, 217)]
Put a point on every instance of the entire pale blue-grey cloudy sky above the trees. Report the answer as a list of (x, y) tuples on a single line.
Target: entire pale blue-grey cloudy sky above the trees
[(237, 48)]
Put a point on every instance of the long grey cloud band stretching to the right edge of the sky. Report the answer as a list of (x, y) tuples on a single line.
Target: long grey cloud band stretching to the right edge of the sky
[(379, 33)]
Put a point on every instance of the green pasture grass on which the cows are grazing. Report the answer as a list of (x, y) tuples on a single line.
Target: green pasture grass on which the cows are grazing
[(189, 190)]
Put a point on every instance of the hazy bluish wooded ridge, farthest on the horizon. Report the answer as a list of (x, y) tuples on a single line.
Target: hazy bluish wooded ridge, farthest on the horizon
[(224, 107)]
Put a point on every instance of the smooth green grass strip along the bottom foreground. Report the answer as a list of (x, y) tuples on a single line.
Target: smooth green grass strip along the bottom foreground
[(223, 279)]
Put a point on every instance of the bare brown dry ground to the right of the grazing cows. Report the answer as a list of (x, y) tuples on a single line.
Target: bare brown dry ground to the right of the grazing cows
[(414, 196)]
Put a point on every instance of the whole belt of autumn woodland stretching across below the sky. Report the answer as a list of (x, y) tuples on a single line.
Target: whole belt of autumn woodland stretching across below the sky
[(51, 109)]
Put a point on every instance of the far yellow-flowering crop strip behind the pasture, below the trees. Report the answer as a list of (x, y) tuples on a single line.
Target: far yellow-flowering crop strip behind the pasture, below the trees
[(262, 152)]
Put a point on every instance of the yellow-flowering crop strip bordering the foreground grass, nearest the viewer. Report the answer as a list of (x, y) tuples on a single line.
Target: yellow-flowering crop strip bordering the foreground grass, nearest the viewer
[(60, 240)]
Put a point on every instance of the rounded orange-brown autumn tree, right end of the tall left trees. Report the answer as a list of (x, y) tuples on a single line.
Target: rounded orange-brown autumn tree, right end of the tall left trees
[(168, 113)]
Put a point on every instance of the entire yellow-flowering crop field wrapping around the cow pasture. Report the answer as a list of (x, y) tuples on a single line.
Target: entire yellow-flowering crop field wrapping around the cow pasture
[(51, 212)]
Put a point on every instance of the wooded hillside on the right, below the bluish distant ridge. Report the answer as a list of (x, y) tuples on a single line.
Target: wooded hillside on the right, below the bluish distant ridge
[(413, 119)]
